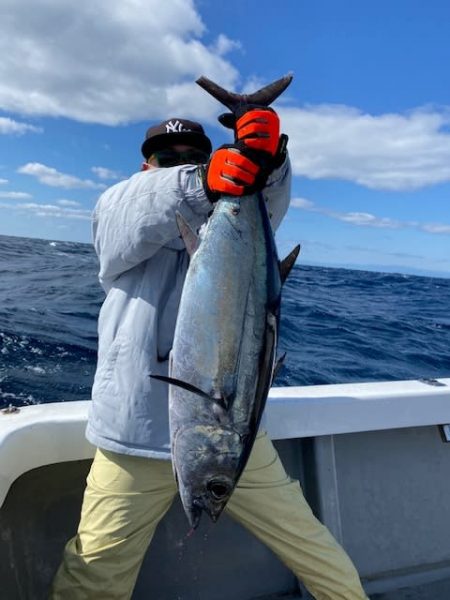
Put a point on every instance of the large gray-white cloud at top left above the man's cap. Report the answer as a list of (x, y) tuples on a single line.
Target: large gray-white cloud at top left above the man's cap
[(108, 62)]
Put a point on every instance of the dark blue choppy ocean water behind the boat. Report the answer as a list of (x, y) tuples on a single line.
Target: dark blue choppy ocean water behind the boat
[(337, 325)]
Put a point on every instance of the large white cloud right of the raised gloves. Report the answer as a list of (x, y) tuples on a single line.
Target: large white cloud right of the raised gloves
[(388, 151)]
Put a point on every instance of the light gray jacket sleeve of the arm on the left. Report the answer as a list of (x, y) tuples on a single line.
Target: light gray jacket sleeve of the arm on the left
[(135, 218)]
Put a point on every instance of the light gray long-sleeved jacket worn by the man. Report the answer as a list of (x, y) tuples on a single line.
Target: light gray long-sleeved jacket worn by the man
[(143, 264)]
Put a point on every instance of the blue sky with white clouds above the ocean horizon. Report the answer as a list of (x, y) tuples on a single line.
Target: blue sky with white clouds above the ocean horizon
[(368, 113)]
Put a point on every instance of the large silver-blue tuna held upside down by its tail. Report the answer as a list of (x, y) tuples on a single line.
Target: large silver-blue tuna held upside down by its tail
[(223, 356)]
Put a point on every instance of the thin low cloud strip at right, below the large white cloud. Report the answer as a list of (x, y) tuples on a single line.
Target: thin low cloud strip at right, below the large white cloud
[(363, 219)]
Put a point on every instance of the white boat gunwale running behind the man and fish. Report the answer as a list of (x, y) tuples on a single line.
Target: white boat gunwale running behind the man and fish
[(45, 434)]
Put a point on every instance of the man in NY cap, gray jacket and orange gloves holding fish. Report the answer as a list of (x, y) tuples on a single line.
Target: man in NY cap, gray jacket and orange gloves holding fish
[(143, 263)]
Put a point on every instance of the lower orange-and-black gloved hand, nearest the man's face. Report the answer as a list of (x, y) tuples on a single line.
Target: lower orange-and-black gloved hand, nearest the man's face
[(234, 170)]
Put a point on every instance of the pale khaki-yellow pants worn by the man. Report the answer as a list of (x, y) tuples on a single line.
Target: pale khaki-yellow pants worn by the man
[(126, 497)]
